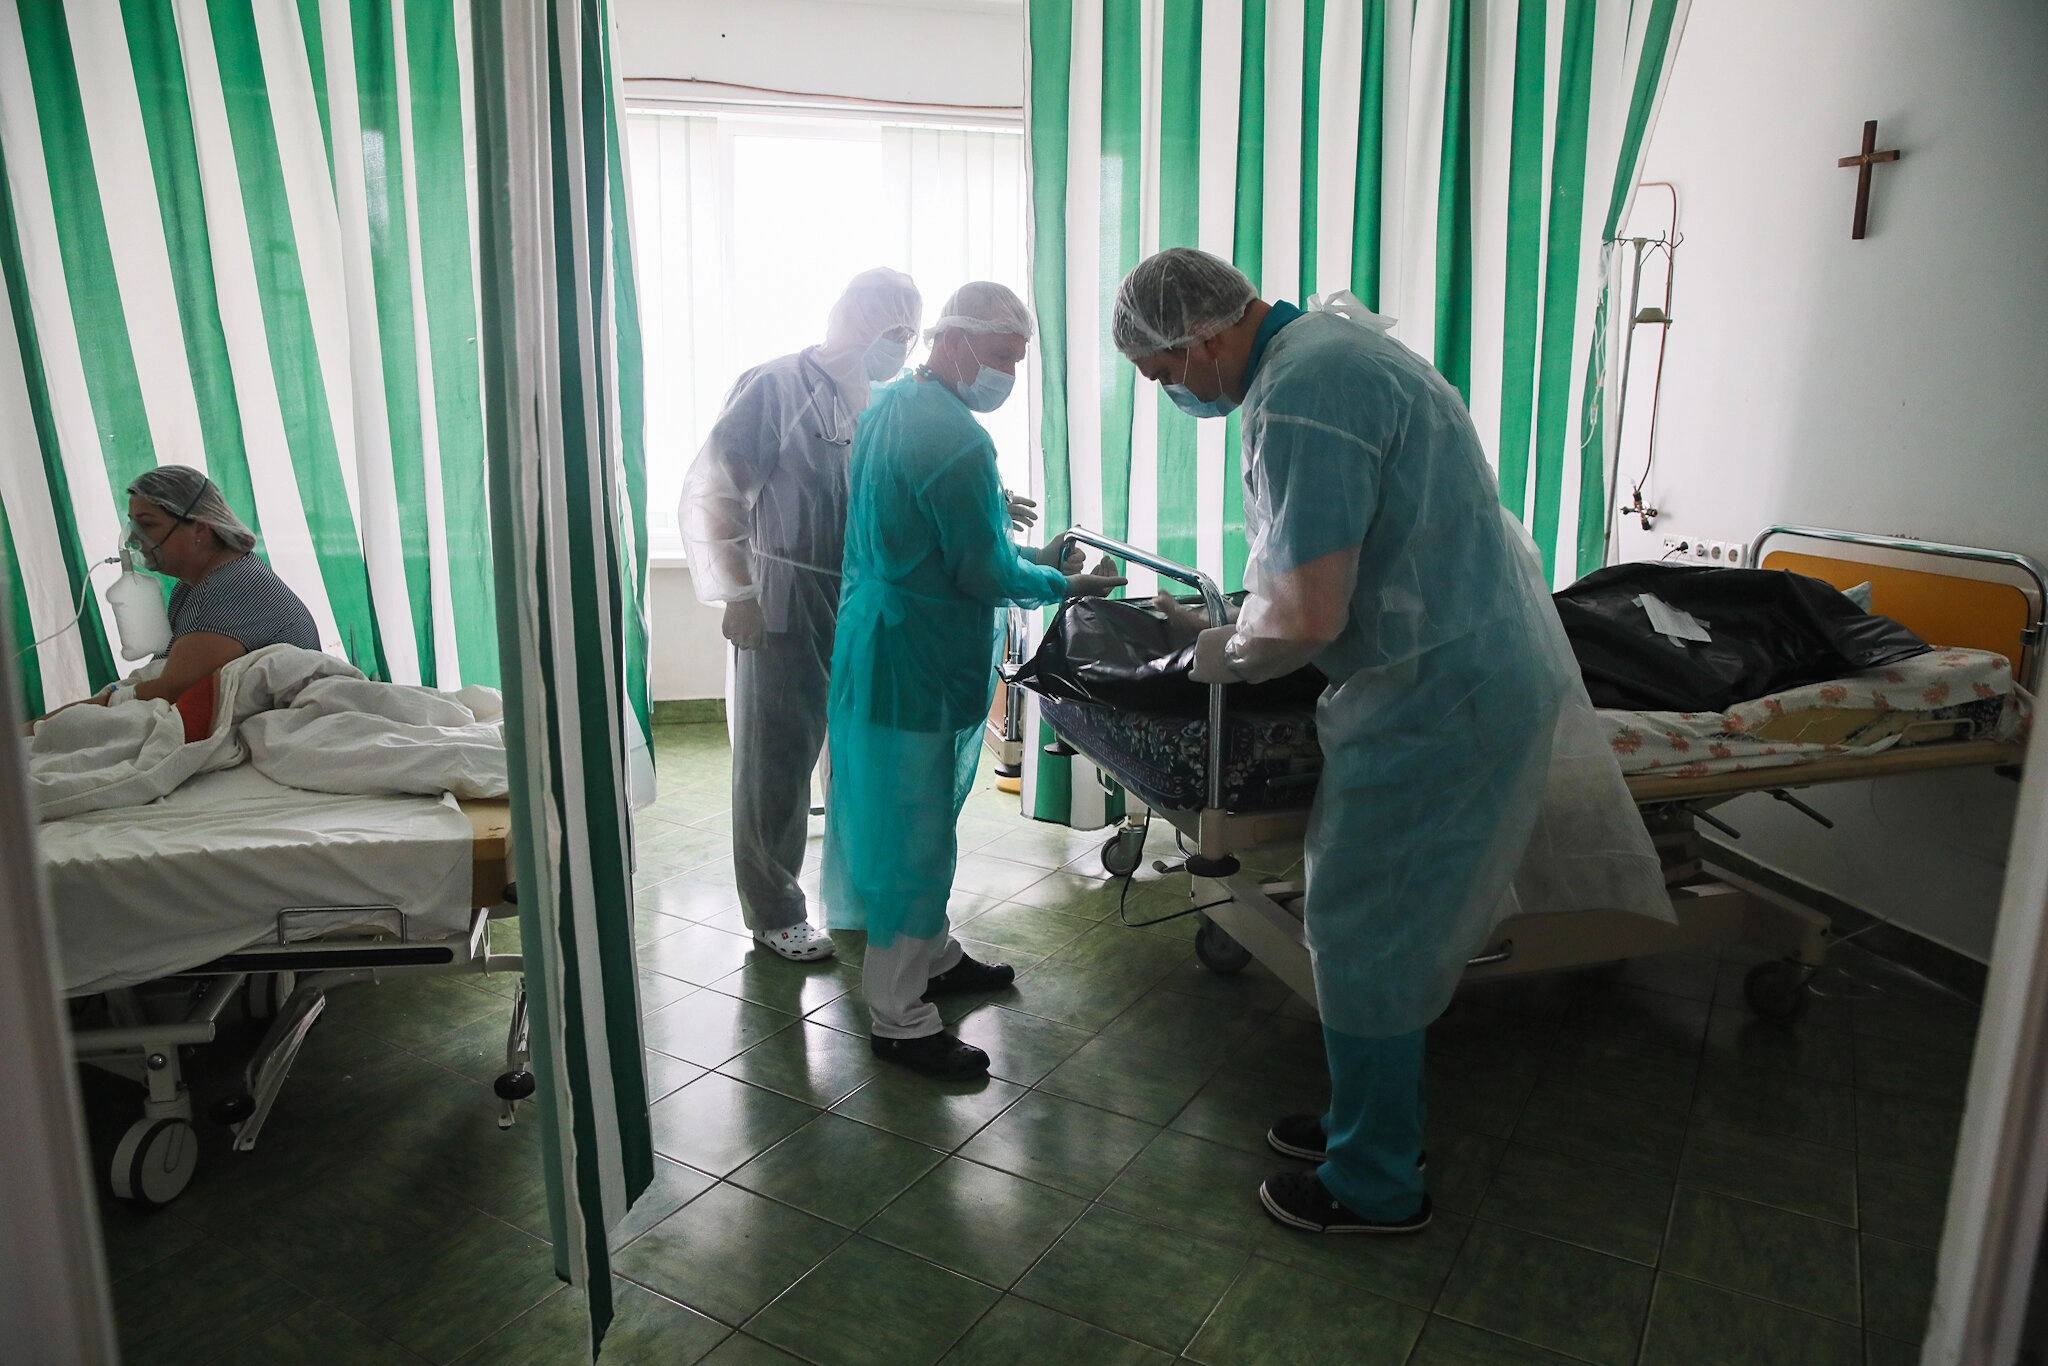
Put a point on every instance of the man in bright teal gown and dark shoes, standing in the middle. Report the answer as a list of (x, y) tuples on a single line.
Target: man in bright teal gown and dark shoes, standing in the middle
[(929, 562)]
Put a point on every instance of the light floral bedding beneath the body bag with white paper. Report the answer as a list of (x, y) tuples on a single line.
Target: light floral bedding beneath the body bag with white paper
[(1947, 695)]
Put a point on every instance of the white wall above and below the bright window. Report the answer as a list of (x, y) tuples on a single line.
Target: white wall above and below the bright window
[(941, 52)]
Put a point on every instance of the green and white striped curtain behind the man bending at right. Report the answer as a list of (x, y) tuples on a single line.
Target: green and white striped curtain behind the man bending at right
[(1459, 165)]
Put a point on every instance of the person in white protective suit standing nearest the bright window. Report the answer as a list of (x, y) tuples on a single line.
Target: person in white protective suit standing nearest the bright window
[(765, 521)]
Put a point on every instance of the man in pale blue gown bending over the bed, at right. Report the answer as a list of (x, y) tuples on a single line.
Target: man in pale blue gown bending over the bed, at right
[(1379, 552)]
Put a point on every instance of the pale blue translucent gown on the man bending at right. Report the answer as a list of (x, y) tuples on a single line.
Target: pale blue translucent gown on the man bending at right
[(1465, 777)]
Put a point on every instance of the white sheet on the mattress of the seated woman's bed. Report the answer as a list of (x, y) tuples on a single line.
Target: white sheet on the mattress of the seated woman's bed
[(146, 892)]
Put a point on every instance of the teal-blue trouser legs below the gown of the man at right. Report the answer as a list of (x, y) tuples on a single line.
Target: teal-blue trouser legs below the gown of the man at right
[(1373, 1129)]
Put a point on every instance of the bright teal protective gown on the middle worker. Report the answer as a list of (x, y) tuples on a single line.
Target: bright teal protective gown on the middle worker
[(929, 562)]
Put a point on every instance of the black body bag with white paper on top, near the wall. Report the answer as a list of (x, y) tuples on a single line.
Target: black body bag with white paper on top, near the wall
[(1768, 632)]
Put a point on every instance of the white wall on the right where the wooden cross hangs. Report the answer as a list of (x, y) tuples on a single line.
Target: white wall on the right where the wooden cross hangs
[(1895, 384)]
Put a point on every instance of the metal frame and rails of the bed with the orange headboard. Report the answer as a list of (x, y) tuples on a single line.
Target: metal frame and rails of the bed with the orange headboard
[(1248, 919)]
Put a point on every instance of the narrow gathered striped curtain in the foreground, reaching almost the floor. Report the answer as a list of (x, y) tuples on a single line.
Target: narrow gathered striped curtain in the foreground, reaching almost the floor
[(562, 398)]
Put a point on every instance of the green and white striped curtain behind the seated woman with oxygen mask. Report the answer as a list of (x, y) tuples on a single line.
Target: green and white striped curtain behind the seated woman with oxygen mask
[(241, 234)]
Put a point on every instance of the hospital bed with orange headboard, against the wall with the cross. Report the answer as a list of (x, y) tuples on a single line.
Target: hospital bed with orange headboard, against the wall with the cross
[(1240, 787)]
